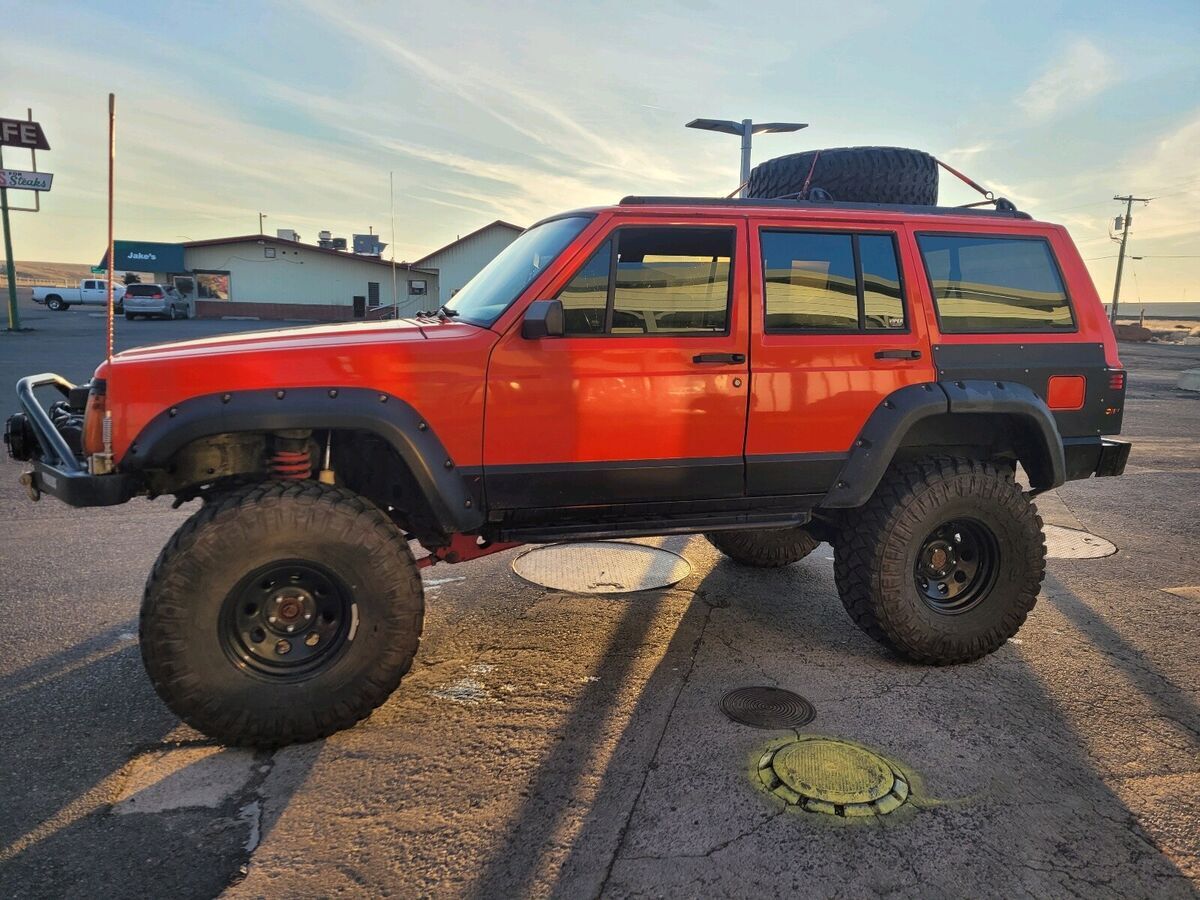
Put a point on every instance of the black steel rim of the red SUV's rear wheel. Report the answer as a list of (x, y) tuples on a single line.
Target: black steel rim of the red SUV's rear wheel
[(957, 566)]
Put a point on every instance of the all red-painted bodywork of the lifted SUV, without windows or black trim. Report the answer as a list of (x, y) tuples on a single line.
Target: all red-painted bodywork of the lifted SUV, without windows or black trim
[(494, 398)]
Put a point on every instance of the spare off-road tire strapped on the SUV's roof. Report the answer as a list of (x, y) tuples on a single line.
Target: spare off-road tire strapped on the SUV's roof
[(853, 175)]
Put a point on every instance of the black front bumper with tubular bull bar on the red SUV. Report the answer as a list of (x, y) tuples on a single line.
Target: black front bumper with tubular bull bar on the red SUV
[(59, 472)]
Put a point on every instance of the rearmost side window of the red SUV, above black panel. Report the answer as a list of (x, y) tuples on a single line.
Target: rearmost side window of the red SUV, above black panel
[(995, 285)]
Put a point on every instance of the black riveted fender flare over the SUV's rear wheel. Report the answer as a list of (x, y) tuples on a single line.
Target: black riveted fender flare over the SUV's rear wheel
[(887, 427)]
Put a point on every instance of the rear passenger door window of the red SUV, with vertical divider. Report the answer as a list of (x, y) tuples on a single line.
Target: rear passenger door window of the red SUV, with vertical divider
[(819, 281)]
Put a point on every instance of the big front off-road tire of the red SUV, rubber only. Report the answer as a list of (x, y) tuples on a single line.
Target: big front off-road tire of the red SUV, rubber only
[(213, 554)]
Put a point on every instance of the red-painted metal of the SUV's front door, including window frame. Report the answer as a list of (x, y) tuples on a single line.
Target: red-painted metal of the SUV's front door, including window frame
[(620, 397)]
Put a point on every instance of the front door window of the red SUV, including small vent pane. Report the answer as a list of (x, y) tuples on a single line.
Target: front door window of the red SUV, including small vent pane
[(667, 281)]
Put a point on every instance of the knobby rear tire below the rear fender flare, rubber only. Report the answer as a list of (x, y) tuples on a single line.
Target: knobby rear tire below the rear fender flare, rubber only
[(877, 560)]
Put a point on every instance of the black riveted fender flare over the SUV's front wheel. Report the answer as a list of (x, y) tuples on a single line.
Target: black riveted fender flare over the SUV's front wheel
[(340, 409)]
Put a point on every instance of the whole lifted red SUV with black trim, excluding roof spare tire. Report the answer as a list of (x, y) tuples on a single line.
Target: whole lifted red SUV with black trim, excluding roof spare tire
[(771, 374)]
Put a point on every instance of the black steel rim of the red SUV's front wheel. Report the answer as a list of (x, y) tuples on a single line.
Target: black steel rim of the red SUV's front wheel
[(287, 620)]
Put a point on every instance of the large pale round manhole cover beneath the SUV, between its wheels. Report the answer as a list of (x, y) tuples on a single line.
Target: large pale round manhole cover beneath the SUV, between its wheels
[(602, 567)]
